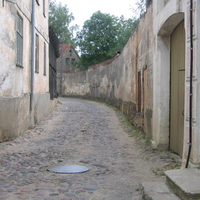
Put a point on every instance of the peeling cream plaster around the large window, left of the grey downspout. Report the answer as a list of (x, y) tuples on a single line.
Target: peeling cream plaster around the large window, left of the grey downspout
[(13, 79)]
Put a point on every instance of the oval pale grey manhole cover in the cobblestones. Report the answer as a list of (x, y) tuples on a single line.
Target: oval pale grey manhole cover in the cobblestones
[(69, 169)]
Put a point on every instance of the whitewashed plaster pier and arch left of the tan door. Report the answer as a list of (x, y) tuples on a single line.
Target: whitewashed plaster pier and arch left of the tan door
[(167, 15)]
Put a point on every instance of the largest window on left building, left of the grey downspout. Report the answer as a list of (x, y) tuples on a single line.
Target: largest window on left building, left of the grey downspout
[(19, 41)]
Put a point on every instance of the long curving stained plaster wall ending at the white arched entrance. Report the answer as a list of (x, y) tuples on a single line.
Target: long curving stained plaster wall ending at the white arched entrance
[(126, 82)]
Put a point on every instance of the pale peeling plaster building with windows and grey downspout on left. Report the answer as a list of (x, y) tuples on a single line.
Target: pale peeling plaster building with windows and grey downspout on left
[(24, 72)]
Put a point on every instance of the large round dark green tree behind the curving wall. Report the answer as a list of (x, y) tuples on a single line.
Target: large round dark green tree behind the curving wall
[(101, 36)]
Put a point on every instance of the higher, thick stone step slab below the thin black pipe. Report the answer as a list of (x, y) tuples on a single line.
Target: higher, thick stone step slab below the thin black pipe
[(185, 183)]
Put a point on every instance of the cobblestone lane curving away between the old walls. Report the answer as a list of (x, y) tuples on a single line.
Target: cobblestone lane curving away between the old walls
[(84, 133)]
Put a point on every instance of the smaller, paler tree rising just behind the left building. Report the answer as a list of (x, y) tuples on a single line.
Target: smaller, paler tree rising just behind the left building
[(60, 19)]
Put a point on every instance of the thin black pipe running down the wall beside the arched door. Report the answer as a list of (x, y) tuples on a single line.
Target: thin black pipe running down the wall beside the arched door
[(191, 90)]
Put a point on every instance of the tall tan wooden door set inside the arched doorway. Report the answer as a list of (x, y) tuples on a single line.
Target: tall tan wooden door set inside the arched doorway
[(177, 89)]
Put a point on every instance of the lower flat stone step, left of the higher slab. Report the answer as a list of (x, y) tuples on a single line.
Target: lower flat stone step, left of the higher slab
[(157, 191)]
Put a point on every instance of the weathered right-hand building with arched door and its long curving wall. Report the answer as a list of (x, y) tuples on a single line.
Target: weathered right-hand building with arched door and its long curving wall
[(155, 80)]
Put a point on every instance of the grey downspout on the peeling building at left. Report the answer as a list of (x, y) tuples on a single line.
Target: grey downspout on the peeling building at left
[(32, 54)]
